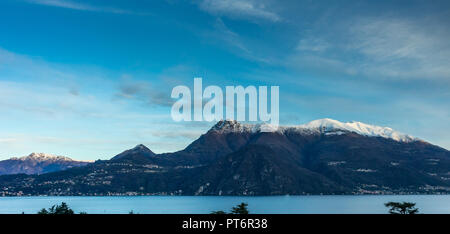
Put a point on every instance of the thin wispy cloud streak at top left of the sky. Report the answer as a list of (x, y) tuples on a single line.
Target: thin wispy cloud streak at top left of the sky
[(83, 6)]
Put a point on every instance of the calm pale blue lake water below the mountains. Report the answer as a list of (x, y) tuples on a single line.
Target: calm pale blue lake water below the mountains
[(204, 205)]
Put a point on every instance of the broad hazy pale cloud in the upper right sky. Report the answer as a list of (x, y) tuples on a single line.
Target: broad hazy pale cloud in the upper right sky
[(381, 47)]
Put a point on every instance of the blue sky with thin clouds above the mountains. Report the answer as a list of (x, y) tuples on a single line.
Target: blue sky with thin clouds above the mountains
[(89, 79)]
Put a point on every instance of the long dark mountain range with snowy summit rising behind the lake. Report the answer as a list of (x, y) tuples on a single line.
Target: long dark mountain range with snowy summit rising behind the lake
[(321, 157)]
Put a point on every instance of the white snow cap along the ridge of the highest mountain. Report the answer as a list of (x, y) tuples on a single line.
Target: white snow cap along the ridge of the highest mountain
[(324, 126)]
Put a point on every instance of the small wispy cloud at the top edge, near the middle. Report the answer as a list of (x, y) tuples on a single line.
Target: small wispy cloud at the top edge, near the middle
[(247, 9)]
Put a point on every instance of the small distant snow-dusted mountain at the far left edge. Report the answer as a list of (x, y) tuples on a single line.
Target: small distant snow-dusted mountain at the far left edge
[(38, 163)]
